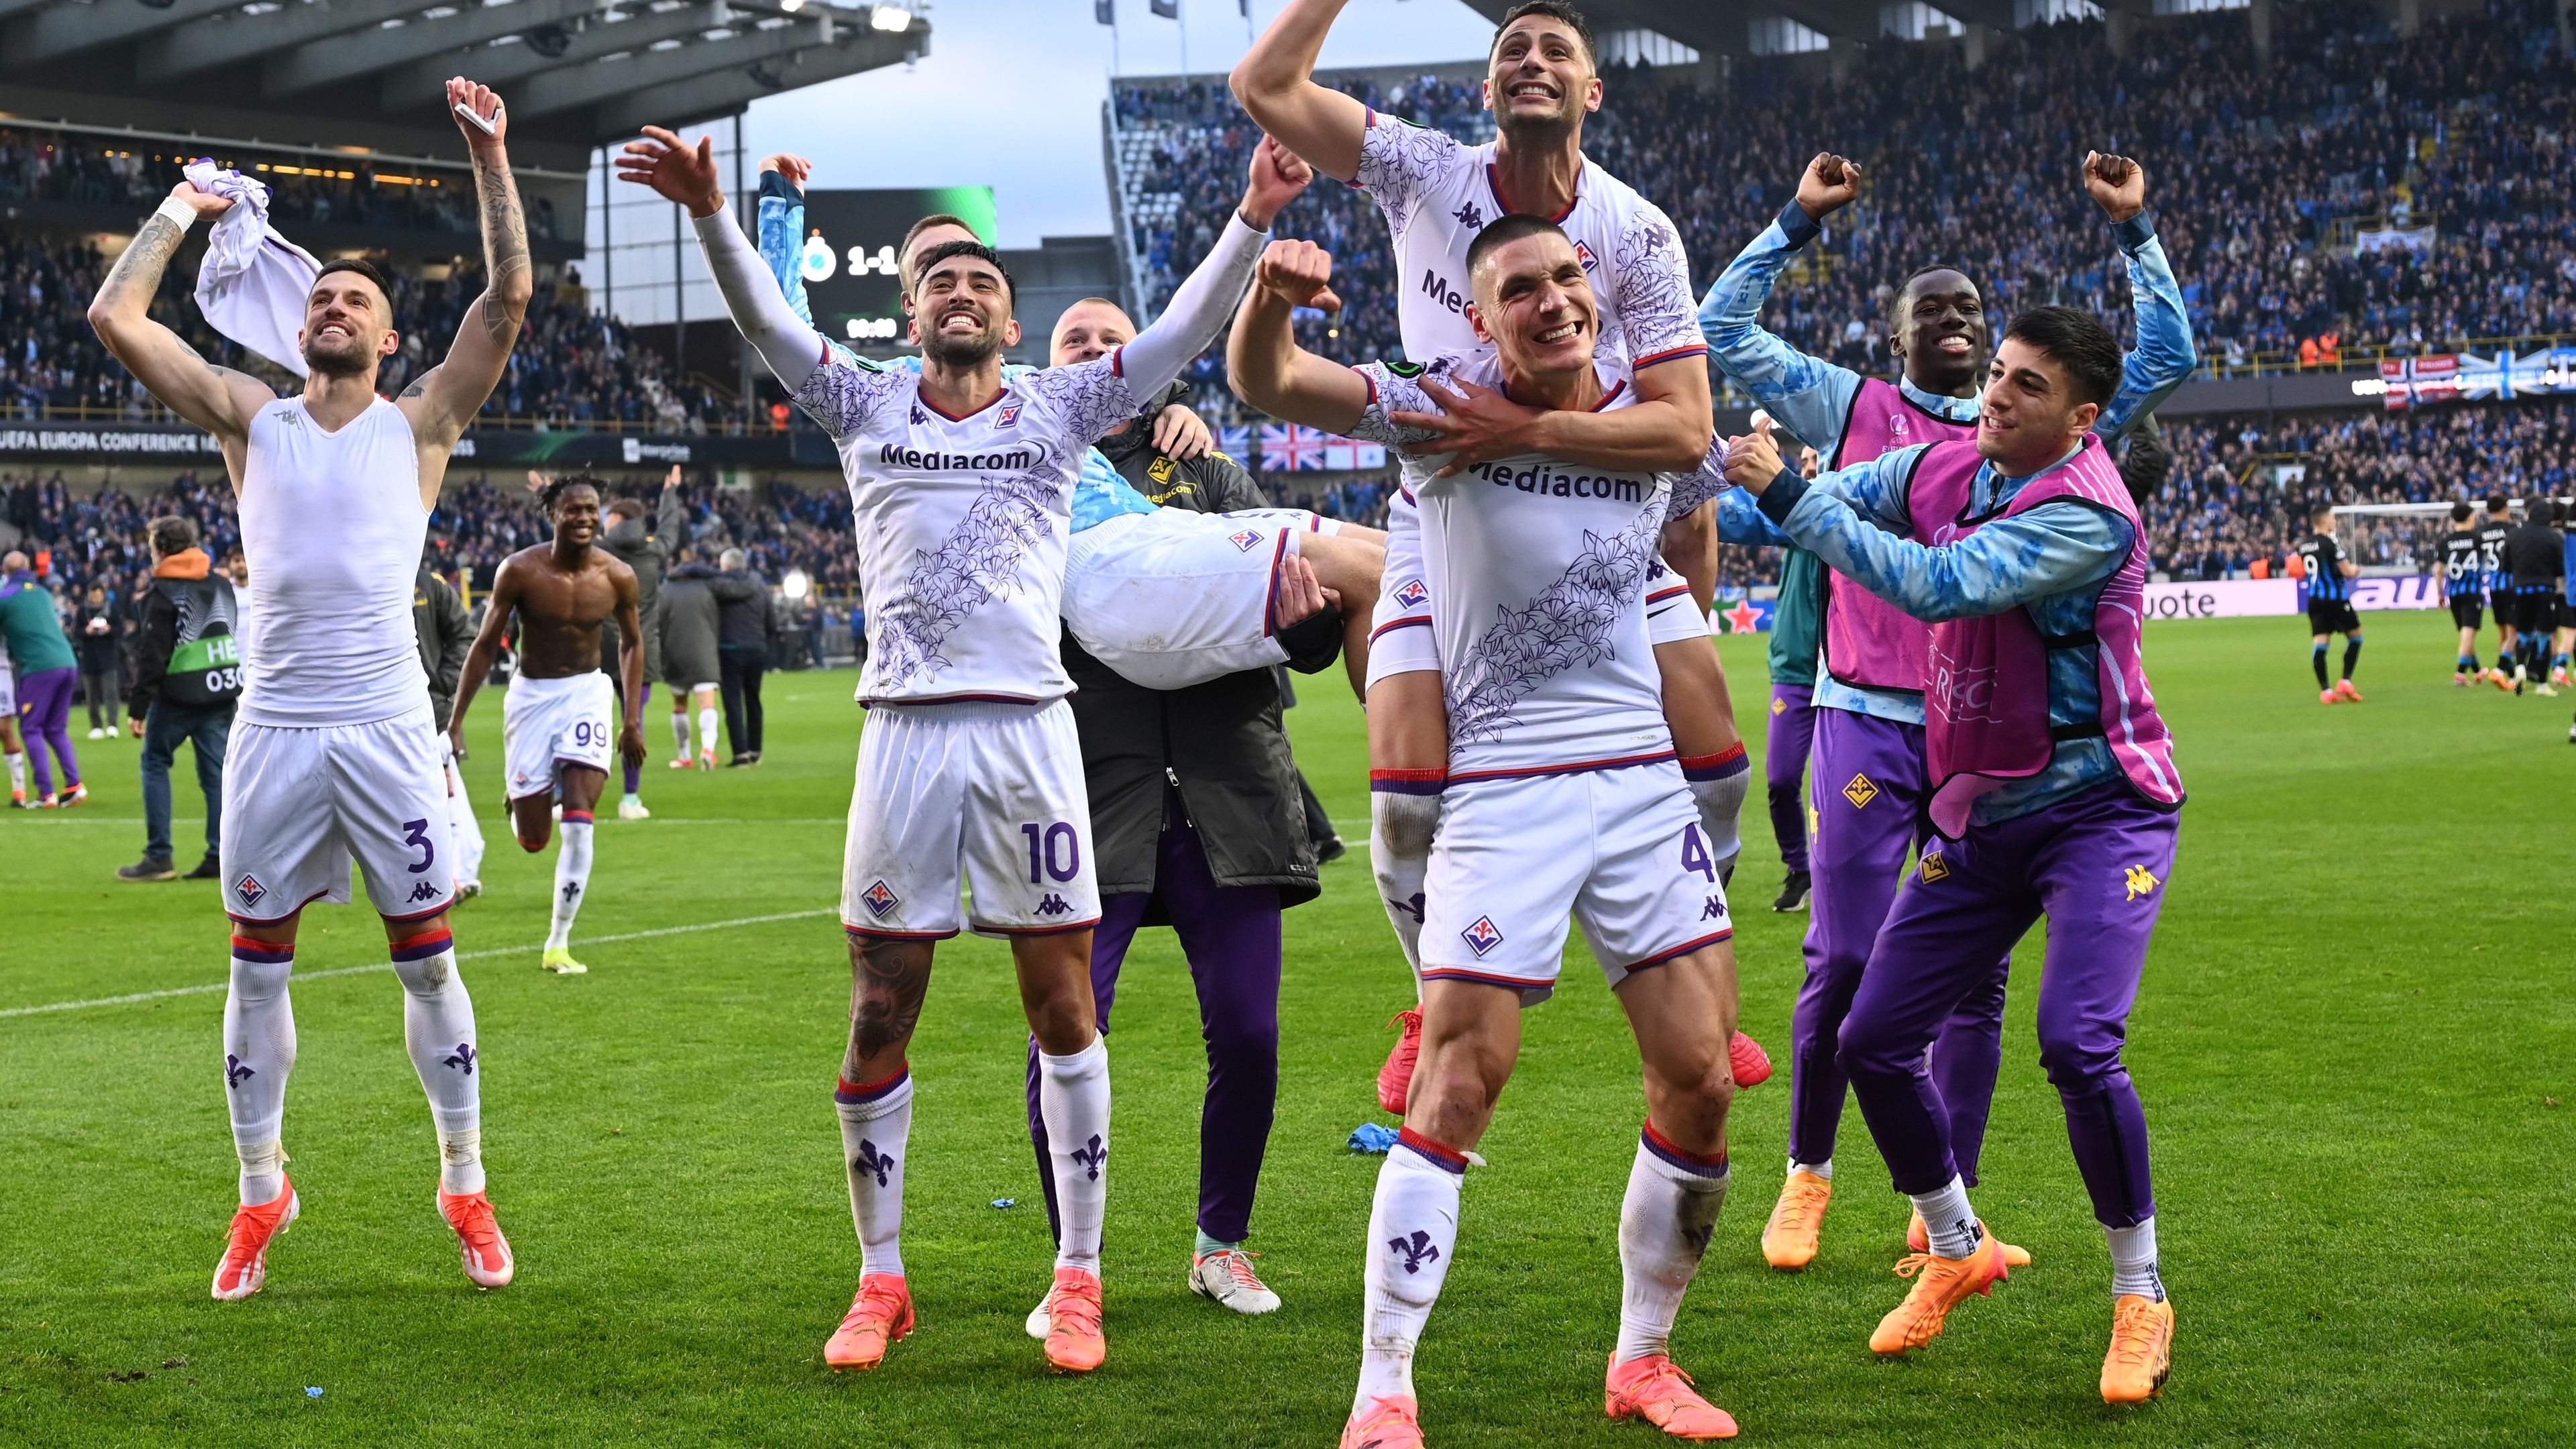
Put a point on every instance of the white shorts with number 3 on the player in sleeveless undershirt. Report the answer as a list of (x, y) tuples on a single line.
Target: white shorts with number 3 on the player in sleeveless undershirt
[(303, 803)]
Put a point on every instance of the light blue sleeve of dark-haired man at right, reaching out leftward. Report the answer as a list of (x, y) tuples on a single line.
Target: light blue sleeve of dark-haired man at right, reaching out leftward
[(2057, 548)]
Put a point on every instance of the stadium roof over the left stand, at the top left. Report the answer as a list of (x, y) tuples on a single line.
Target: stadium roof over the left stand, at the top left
[(576, 73)]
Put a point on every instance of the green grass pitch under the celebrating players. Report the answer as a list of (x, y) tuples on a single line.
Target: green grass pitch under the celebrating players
[(2353, 1045)]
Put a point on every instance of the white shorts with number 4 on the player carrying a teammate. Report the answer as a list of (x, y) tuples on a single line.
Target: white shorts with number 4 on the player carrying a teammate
[(1611, 850)]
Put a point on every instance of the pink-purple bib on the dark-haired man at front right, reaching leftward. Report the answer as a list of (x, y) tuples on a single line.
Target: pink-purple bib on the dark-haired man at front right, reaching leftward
[(1987, 679)]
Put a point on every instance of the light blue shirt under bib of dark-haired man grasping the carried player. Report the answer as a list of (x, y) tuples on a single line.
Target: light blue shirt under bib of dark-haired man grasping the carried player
[(2049, 561)]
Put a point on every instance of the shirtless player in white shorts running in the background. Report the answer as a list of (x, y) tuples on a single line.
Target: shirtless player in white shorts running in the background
[(555, 718)]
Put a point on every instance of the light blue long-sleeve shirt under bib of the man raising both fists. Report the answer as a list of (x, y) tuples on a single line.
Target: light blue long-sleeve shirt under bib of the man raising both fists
[(1812, 398)]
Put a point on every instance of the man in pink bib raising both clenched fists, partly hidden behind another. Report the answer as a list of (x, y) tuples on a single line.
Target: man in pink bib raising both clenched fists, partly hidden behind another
[(1871, 692)]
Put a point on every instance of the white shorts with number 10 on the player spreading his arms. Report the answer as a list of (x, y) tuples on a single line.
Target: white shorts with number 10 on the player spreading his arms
[(970, 795)]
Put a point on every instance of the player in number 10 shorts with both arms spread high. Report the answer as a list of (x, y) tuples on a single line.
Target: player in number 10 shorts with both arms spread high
[(970, 767)]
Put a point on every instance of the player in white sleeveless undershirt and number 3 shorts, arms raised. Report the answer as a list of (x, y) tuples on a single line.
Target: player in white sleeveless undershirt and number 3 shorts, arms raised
[(334, 749)]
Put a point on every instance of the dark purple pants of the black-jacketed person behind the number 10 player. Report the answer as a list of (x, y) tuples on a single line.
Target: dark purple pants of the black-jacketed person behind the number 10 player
[(1233, 940)]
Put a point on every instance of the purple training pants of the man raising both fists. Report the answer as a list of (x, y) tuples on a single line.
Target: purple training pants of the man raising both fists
[(1869, 808)]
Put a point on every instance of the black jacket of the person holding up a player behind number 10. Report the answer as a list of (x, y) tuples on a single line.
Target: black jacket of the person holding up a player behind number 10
[(1222, 744)]
